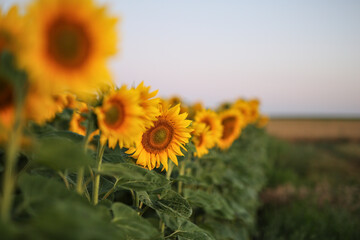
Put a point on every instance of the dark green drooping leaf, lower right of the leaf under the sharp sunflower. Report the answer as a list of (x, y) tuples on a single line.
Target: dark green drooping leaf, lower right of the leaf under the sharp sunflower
[(170, 202)]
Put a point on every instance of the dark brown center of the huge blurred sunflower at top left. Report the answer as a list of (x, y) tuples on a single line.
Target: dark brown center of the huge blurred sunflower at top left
[(68, 43)]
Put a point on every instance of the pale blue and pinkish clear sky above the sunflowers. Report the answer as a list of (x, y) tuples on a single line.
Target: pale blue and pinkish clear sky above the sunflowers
[(299, 57)]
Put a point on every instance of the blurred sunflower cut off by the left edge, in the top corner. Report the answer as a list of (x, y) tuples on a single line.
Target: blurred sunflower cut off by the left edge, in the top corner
[(11, 27)]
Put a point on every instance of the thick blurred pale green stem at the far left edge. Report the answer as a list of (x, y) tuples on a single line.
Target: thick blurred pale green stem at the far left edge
[(9, 180)]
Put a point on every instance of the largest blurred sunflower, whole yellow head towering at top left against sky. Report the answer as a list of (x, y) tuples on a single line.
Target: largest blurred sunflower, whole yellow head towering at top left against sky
[(67, 43)]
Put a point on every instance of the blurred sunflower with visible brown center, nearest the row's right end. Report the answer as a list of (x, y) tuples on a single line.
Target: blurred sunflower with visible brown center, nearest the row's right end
[(232, 122)]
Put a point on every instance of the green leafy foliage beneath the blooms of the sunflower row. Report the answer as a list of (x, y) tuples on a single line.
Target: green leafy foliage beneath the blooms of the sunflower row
[(215, 197)]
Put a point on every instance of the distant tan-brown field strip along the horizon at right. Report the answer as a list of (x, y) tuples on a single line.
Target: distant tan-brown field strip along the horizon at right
[(315, 129)]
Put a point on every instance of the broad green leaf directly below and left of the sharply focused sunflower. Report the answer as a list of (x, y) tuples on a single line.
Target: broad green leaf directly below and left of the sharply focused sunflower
[(133, 177)]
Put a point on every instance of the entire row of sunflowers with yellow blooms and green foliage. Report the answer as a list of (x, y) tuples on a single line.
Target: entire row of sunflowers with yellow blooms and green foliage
[(83, 158)]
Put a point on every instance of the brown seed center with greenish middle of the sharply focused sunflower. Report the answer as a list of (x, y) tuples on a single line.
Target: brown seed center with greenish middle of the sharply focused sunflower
[(158, 138)]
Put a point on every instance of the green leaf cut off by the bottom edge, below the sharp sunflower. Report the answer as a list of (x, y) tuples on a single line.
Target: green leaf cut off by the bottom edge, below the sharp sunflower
[(131, 225)]
